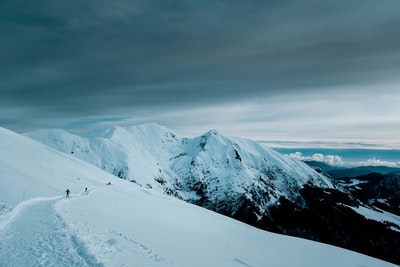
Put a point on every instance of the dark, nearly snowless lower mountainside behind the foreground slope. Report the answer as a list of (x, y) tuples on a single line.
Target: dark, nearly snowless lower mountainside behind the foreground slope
[(325, 215)]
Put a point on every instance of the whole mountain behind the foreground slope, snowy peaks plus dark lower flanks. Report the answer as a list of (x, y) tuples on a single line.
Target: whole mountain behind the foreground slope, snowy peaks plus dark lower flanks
[(237, 177)]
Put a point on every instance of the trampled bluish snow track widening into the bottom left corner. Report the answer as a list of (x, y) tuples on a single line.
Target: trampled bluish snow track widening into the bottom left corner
[(37, 236)]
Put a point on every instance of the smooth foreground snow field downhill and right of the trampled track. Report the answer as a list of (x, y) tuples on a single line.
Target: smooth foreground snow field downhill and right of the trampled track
[(129, 226)]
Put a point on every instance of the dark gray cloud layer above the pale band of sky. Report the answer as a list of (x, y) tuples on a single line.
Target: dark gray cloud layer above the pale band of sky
[(80, 59)]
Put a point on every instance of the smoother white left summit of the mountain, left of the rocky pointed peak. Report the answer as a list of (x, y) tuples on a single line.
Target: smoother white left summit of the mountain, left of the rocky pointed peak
[(133, 153)]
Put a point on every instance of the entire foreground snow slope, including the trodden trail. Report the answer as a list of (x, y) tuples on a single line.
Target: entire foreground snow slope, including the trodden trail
[(123, 224)]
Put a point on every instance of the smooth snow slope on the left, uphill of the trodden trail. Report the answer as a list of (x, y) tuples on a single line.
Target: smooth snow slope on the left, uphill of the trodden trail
[(26, 164)]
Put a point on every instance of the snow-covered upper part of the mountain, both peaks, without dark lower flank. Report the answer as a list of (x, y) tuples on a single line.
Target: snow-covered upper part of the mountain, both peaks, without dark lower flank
[(220, 173)]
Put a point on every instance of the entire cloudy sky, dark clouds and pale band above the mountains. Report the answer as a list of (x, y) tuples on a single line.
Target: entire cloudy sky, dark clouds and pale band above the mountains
[(266, 70)]
